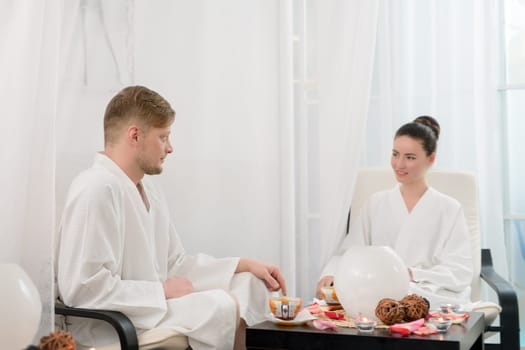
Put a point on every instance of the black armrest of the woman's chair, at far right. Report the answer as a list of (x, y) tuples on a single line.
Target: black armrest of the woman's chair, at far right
[(508, 300)]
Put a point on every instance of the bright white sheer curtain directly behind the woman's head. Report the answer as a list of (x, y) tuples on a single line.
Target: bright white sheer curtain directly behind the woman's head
[(437, 57)]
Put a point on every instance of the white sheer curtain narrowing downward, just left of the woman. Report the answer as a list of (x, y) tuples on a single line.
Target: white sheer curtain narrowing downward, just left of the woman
[(345, 35)]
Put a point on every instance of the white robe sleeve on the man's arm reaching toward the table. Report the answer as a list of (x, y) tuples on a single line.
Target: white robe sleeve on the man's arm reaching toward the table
[(204, 271)]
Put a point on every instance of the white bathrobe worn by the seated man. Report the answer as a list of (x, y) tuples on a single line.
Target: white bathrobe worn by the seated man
[(115, 254)]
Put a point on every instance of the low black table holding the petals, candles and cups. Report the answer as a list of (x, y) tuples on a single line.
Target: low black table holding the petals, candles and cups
[(267, 335)]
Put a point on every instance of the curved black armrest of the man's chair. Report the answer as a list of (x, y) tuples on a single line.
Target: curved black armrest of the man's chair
[(122, 324)]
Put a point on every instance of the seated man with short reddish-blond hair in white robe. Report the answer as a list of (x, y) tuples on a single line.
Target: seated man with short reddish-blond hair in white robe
[(118, 248)]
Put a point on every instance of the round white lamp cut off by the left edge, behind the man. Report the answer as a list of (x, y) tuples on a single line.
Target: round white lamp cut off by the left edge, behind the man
[(20, 307)]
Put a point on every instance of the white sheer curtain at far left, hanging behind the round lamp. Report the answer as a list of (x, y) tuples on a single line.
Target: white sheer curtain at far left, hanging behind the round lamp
[(29, 46)]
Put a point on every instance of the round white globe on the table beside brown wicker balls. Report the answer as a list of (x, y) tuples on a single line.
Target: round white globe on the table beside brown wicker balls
[(367, 274)]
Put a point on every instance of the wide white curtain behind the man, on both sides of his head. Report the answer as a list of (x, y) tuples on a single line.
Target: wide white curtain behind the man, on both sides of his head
[(218, 63)]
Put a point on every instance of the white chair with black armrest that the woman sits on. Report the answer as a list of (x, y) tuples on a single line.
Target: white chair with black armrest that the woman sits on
[(463, 187)]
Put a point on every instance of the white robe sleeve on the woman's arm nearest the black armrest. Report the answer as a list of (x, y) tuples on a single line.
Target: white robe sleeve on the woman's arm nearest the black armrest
[(452, 263)]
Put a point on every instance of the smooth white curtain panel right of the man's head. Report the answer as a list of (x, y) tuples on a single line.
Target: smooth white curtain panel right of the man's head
[(218, 65)]
